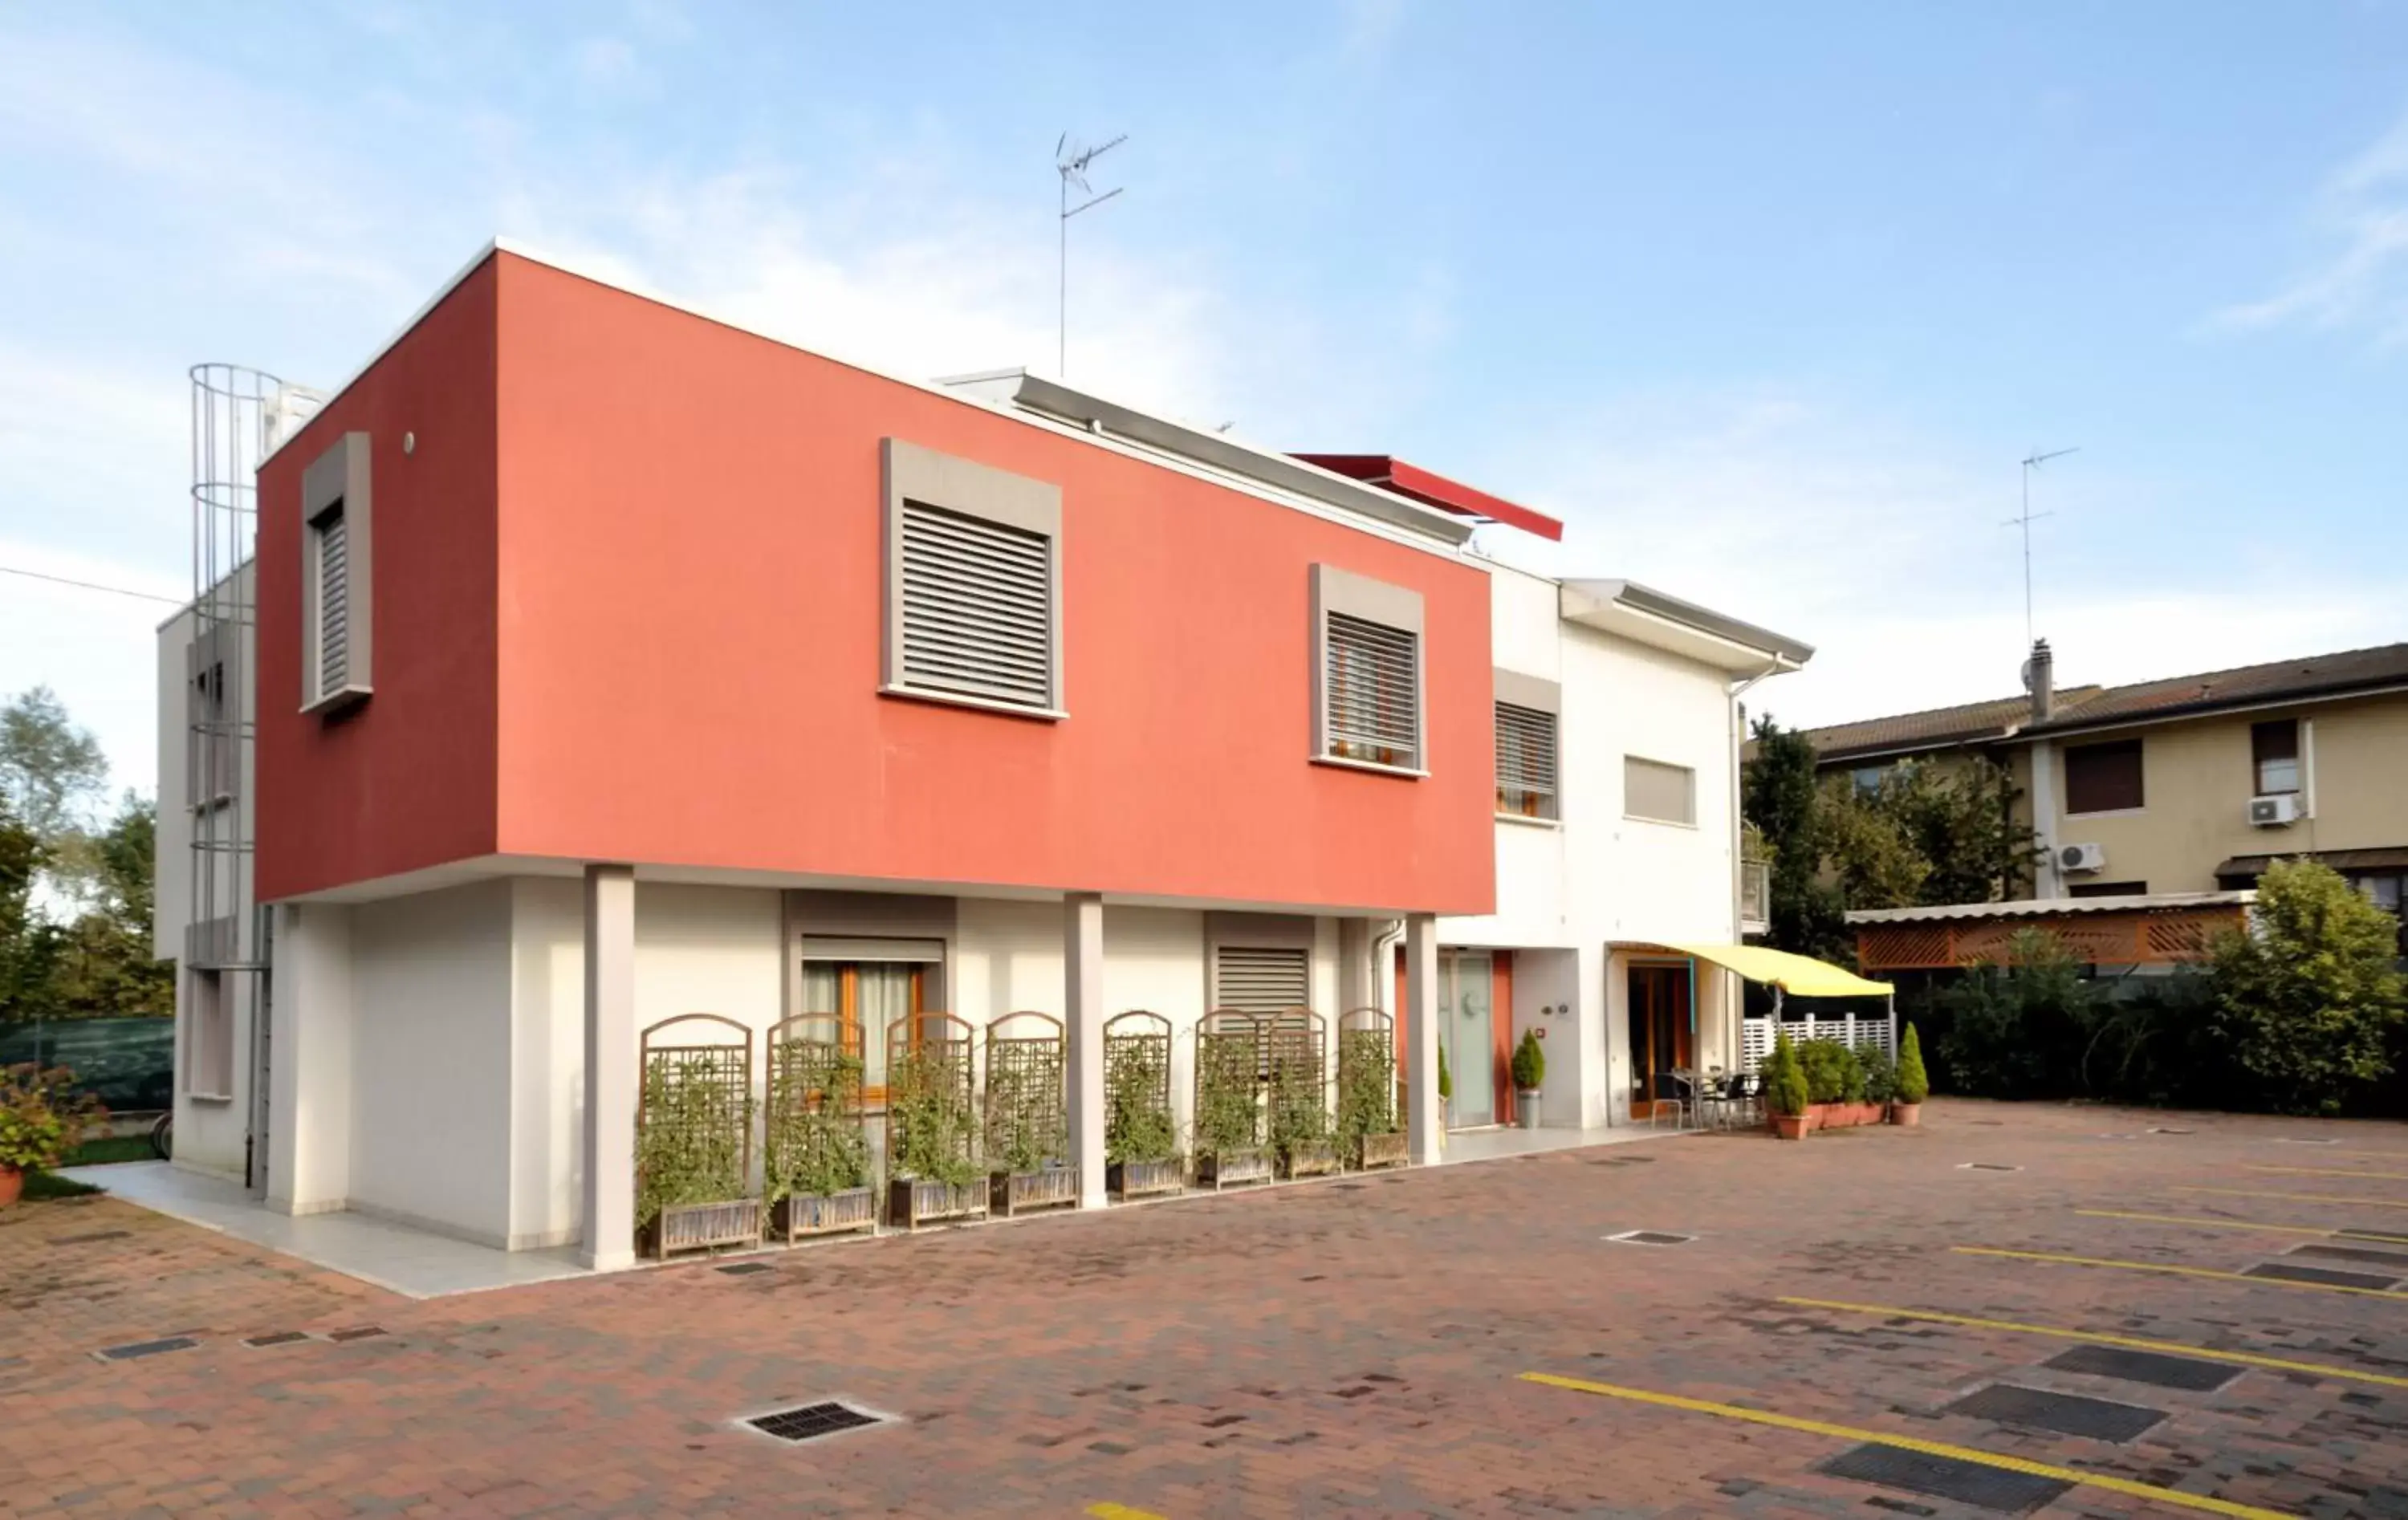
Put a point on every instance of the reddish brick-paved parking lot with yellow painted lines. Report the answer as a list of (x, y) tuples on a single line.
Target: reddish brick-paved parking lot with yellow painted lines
[(1345, 1348)]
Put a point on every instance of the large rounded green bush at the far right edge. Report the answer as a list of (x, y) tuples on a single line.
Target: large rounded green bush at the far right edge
[(2308, 998)]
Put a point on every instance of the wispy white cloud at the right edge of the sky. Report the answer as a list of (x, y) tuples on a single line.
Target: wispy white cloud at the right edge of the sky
[(2363, 283)]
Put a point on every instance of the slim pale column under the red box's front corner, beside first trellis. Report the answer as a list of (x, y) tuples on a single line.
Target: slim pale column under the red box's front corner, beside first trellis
[(610, 1068)]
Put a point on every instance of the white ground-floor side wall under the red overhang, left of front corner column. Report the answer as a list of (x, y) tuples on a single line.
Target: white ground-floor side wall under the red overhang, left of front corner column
[(432, 1061)]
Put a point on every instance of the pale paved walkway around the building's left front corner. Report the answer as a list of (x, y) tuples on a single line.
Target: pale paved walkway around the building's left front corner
[(391, 1256)]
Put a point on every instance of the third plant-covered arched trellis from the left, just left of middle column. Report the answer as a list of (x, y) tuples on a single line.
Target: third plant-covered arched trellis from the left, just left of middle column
[(931, 1121)]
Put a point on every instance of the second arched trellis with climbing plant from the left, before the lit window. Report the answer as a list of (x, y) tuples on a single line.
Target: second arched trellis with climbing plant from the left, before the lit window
[(815, 1145)]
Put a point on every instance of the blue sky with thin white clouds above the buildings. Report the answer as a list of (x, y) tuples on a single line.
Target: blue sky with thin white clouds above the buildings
[(1764, 300)]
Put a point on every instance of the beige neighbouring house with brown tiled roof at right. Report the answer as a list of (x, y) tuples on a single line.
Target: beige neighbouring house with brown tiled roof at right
[(2188, 784)]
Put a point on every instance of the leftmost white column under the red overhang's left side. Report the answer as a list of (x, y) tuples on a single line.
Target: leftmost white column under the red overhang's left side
[(309, 1061)]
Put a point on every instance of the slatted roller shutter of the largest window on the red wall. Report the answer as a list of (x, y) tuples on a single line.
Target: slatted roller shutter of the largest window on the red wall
[(979, 615)]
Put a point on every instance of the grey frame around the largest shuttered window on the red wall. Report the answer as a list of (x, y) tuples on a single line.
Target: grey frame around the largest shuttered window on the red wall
[(969, 490)]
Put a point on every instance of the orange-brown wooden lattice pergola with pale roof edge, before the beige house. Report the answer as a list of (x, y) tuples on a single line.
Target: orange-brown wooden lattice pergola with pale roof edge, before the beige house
[(2103, 931)]
